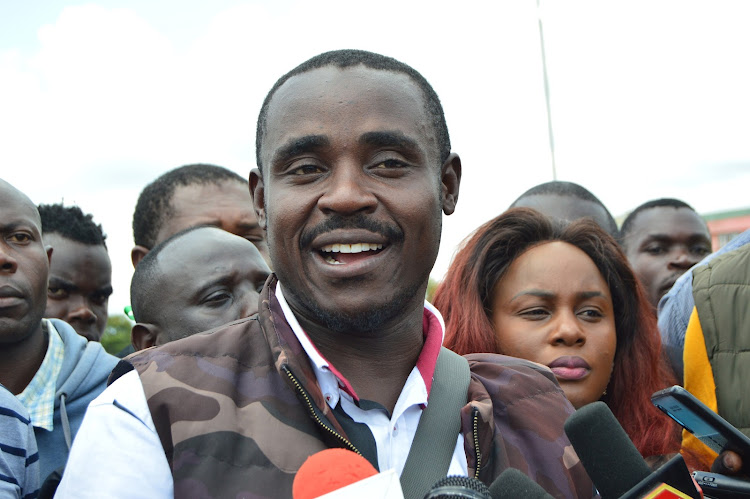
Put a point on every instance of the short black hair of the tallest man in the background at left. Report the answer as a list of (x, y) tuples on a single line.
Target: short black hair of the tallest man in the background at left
[(154, 204)]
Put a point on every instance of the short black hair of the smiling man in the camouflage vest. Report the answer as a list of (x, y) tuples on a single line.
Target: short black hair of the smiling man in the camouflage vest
[(348, 58)]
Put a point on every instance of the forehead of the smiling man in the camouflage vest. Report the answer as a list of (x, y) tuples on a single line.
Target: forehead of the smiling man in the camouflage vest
[(343, 103)]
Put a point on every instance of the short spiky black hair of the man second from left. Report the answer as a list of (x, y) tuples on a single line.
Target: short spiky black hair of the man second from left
[(71, 223)]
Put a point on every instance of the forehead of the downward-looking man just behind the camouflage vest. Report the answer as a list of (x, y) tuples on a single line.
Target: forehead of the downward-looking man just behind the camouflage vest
[(207, 251)]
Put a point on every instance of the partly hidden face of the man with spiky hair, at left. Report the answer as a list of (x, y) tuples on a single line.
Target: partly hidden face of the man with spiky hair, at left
[(80, 283)]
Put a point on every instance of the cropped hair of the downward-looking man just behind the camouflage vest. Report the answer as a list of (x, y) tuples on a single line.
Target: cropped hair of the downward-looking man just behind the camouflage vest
[(145, 274)]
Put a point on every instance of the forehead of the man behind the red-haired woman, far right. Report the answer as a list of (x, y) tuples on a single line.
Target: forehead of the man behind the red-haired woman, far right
[(668, 221)]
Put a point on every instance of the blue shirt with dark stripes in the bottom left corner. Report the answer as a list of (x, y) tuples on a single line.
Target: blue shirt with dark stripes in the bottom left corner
[(19, 459)]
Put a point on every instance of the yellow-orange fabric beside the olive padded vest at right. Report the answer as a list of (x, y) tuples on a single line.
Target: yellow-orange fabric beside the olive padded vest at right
[(699, 380)]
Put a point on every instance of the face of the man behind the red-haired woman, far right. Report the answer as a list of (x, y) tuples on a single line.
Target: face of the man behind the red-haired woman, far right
[(662, 244)]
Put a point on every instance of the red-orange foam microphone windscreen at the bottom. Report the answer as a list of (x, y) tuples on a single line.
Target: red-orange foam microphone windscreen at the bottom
[(329, 470)]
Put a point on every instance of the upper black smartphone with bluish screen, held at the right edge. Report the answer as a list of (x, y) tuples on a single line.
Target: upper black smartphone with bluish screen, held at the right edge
[(710, 428)]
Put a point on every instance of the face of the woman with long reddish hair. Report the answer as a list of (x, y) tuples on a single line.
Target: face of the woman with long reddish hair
[(553, 307)]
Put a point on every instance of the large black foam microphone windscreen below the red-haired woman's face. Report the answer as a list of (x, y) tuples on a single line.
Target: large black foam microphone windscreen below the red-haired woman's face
[(607, 454)]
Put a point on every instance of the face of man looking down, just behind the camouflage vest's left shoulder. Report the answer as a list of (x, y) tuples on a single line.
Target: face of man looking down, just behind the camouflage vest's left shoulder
[(226, 274)]
